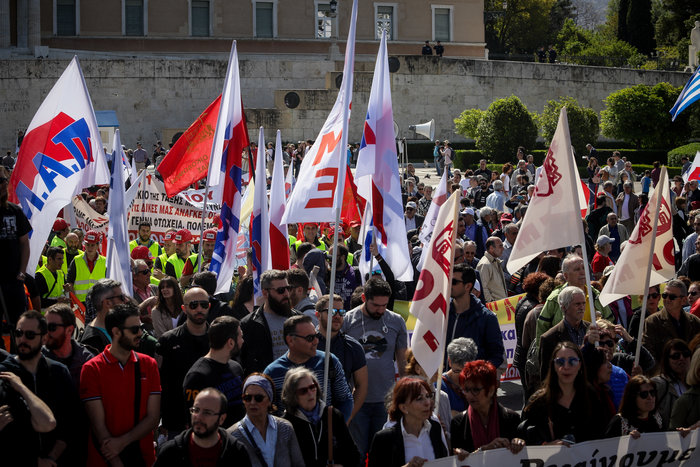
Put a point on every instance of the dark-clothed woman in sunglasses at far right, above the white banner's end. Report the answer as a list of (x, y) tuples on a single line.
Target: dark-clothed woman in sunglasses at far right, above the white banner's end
[(670, 384)]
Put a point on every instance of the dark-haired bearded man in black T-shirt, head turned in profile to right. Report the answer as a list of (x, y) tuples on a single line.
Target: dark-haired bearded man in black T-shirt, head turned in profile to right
[(217, 369)]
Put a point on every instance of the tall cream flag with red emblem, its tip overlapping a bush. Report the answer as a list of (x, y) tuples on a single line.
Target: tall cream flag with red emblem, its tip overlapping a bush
[(553, 218)]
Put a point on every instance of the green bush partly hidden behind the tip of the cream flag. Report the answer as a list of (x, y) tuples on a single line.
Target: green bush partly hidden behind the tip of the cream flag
[(583, 122)]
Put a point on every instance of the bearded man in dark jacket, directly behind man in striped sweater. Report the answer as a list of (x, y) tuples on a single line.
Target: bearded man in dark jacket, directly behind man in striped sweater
[(263, 327)]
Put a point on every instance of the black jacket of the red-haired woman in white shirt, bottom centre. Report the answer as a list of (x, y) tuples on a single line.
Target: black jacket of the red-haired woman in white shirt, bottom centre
[(387, 448)]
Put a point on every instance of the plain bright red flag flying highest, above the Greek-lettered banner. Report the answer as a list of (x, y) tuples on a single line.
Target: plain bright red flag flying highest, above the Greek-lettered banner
[(188, 161)]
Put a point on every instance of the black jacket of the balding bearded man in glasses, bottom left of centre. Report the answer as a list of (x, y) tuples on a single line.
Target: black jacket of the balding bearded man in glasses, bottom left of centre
[(175, 453)]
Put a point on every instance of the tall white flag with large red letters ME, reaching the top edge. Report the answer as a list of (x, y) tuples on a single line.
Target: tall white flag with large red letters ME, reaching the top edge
[(313, 198)]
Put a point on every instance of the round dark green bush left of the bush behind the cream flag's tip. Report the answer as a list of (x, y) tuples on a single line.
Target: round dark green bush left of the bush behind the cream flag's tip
[(504, 126)]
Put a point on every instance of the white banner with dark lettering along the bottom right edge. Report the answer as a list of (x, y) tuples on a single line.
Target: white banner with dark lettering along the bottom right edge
[(651, 449)]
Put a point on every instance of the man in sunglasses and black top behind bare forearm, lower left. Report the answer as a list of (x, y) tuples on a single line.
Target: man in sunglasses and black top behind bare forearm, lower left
[(50, 381)]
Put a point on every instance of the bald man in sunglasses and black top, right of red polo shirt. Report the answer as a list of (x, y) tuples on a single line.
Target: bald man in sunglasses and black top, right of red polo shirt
[(180, 348)]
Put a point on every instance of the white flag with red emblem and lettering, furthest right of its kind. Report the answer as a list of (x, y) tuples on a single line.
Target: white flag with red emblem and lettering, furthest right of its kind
[(629, 275)]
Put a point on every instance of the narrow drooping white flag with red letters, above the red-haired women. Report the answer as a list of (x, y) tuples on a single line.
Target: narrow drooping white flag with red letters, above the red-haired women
[(432, 294)]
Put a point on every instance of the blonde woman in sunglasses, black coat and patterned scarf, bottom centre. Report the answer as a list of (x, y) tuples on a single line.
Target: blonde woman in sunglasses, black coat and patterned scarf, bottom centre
[(310, 418)]
